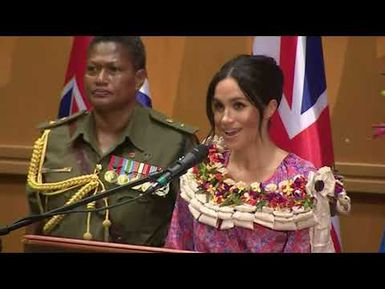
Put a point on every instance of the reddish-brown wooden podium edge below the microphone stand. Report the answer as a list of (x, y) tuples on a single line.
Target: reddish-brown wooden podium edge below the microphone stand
[(46, 244)]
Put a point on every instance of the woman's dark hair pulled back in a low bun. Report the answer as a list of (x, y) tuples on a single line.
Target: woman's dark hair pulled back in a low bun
[(259, 78)]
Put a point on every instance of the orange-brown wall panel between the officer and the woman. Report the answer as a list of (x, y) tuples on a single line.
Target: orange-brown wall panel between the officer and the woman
[(203, 56)]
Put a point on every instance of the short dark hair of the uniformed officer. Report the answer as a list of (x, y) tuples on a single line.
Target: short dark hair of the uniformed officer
[(133, 44)]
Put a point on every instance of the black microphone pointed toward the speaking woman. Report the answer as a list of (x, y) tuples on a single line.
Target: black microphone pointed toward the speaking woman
[(197, 155)]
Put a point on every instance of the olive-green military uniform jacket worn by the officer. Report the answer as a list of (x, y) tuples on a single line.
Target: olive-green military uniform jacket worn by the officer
[(71, 151)]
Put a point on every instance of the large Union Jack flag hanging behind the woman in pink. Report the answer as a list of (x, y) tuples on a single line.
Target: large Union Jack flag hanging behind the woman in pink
[(302, 123)]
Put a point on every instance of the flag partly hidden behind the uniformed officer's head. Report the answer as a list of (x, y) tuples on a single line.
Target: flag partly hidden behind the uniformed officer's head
[(73, 97)]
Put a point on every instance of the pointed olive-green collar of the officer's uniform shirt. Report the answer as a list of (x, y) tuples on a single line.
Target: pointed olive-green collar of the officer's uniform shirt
[(134, 131)]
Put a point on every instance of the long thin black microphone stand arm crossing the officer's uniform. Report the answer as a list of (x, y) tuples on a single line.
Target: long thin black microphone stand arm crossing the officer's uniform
[(35, 218)]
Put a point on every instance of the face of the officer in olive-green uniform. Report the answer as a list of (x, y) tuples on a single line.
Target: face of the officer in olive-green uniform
[(111, 80)]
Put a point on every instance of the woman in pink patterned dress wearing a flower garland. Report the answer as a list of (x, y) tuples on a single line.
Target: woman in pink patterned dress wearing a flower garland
[(250, 195)]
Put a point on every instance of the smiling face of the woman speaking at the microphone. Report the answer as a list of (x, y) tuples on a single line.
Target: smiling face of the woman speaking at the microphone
[(235, 117)]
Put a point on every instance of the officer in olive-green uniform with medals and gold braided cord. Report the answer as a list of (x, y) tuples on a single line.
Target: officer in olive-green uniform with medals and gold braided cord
[(117, 142)]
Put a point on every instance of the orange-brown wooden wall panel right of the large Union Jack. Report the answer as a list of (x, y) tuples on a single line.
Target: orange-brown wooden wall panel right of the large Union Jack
[(353, 69)]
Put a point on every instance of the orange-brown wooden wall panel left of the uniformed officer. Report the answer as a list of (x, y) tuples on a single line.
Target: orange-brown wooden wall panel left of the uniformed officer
[(31, 85)]
